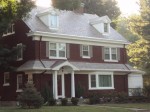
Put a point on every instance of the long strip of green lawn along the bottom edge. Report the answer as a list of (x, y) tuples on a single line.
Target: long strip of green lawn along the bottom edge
[(66, 109)]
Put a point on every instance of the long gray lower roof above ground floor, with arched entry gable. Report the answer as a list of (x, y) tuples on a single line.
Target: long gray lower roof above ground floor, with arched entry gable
[(81, 66)]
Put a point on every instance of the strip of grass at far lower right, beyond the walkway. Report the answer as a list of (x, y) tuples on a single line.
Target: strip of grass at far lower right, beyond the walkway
[(136, 105)]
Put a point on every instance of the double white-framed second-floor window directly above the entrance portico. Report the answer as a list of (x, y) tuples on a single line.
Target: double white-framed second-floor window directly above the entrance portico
[(57, 50)]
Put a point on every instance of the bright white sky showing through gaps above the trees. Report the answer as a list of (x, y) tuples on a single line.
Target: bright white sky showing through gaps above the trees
[(127, 7)]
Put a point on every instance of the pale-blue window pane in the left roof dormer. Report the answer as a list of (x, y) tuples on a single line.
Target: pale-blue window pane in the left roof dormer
[(54, 21)]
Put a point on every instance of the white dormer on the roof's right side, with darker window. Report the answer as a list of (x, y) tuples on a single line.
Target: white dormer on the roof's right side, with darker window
[(101, 24)]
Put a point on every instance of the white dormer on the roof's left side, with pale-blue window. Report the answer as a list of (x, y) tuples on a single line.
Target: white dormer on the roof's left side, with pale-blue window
[(50, 18)]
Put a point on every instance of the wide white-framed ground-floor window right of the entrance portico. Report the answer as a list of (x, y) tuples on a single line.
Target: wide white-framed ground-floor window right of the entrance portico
[(101, 81)]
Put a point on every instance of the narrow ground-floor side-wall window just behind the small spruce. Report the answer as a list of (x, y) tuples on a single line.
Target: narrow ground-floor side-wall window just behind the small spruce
[(19, 83)]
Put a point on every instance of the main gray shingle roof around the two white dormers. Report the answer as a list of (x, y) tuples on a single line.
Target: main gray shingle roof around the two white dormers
[(71, 23)]
